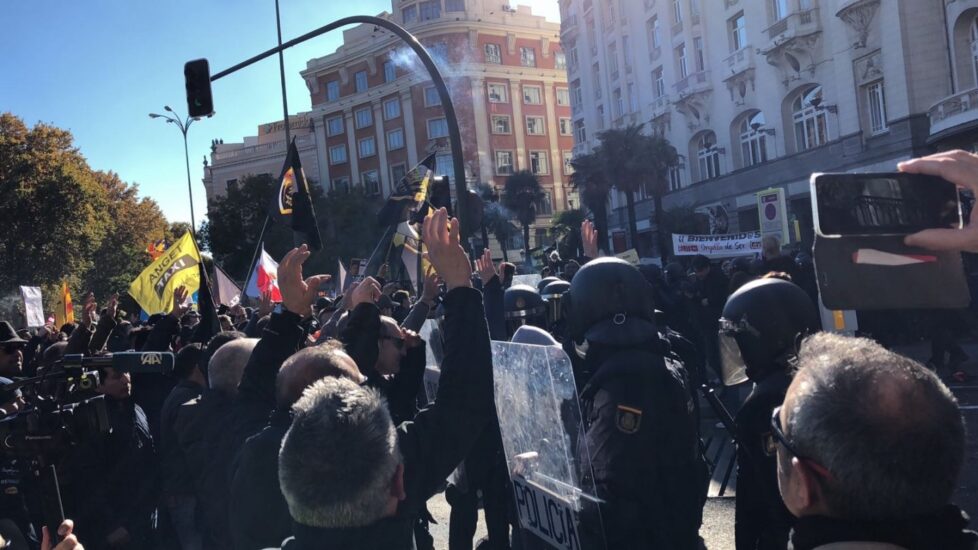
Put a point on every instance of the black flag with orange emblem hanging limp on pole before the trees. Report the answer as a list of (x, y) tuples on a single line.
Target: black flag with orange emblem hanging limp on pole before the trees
[(293, 205)]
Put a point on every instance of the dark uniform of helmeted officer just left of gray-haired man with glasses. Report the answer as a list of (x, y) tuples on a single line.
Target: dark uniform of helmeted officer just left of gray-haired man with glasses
[(762, 521)]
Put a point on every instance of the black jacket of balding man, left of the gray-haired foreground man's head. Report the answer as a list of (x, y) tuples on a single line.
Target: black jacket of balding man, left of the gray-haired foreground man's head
[(258, 513)]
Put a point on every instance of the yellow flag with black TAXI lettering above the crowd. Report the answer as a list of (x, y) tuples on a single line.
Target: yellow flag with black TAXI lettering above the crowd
[(176, 267)]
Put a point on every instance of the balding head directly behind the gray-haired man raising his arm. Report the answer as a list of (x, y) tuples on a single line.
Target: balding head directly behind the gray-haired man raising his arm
[(309, 365)]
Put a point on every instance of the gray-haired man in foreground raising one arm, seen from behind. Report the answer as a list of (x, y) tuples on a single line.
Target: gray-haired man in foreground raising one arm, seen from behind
[(352, 480)]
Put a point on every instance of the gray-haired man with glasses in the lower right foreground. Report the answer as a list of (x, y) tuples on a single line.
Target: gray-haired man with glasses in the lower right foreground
[(870, 445)]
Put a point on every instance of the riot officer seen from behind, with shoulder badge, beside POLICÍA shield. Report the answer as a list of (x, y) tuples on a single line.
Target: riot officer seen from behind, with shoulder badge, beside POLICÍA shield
[(638, 414)]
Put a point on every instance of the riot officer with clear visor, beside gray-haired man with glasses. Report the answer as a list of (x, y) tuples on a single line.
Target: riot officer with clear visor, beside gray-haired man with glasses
[(762, 325)]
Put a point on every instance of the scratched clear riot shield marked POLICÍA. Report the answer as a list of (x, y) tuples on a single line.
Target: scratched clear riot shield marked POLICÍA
[(540, 423)]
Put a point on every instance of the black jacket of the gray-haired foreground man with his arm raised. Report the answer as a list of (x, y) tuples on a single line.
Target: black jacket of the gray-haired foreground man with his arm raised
[(439, 437)]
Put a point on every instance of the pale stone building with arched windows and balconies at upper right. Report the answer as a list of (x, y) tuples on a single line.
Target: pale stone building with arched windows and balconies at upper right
[(756, 94)]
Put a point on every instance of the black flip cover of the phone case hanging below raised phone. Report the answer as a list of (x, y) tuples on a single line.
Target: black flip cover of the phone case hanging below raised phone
[(844, 284)]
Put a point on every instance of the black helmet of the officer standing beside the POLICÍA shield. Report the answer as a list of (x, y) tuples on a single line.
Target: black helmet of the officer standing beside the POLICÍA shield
[(610, 302)]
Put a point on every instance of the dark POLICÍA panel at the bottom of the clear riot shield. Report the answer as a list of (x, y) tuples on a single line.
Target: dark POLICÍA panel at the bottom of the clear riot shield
[(546, 515)]
